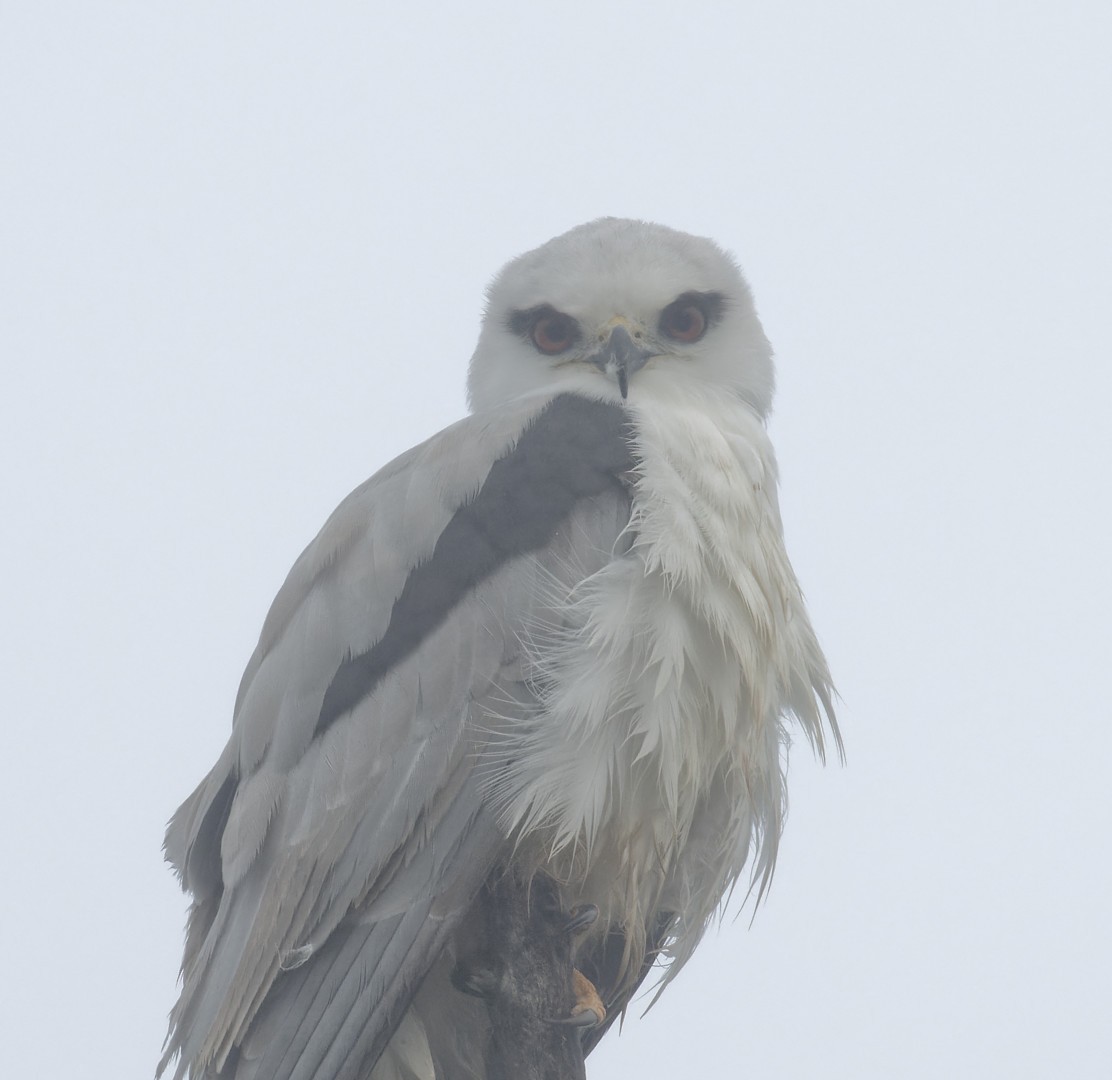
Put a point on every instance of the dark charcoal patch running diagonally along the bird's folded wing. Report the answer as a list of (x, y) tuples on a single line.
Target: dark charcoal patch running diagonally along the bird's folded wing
[(573, 450)]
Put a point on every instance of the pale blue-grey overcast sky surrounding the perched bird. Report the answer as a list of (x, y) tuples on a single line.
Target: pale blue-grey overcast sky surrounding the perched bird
[(243, 252)]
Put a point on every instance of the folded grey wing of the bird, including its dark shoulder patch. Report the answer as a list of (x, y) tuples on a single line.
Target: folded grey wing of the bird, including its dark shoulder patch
[(344, 831)]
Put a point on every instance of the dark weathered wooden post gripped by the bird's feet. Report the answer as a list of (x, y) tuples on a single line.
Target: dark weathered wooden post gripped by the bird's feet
[(524, 974)]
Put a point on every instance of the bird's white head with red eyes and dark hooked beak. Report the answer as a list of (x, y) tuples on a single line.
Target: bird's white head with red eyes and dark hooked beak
[(618, 308)]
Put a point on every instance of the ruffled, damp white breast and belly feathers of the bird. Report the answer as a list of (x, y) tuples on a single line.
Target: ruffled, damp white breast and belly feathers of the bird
[(656, 770)]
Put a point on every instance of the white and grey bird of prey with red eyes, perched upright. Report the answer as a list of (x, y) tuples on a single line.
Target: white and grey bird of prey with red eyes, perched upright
[(562, 638)]
